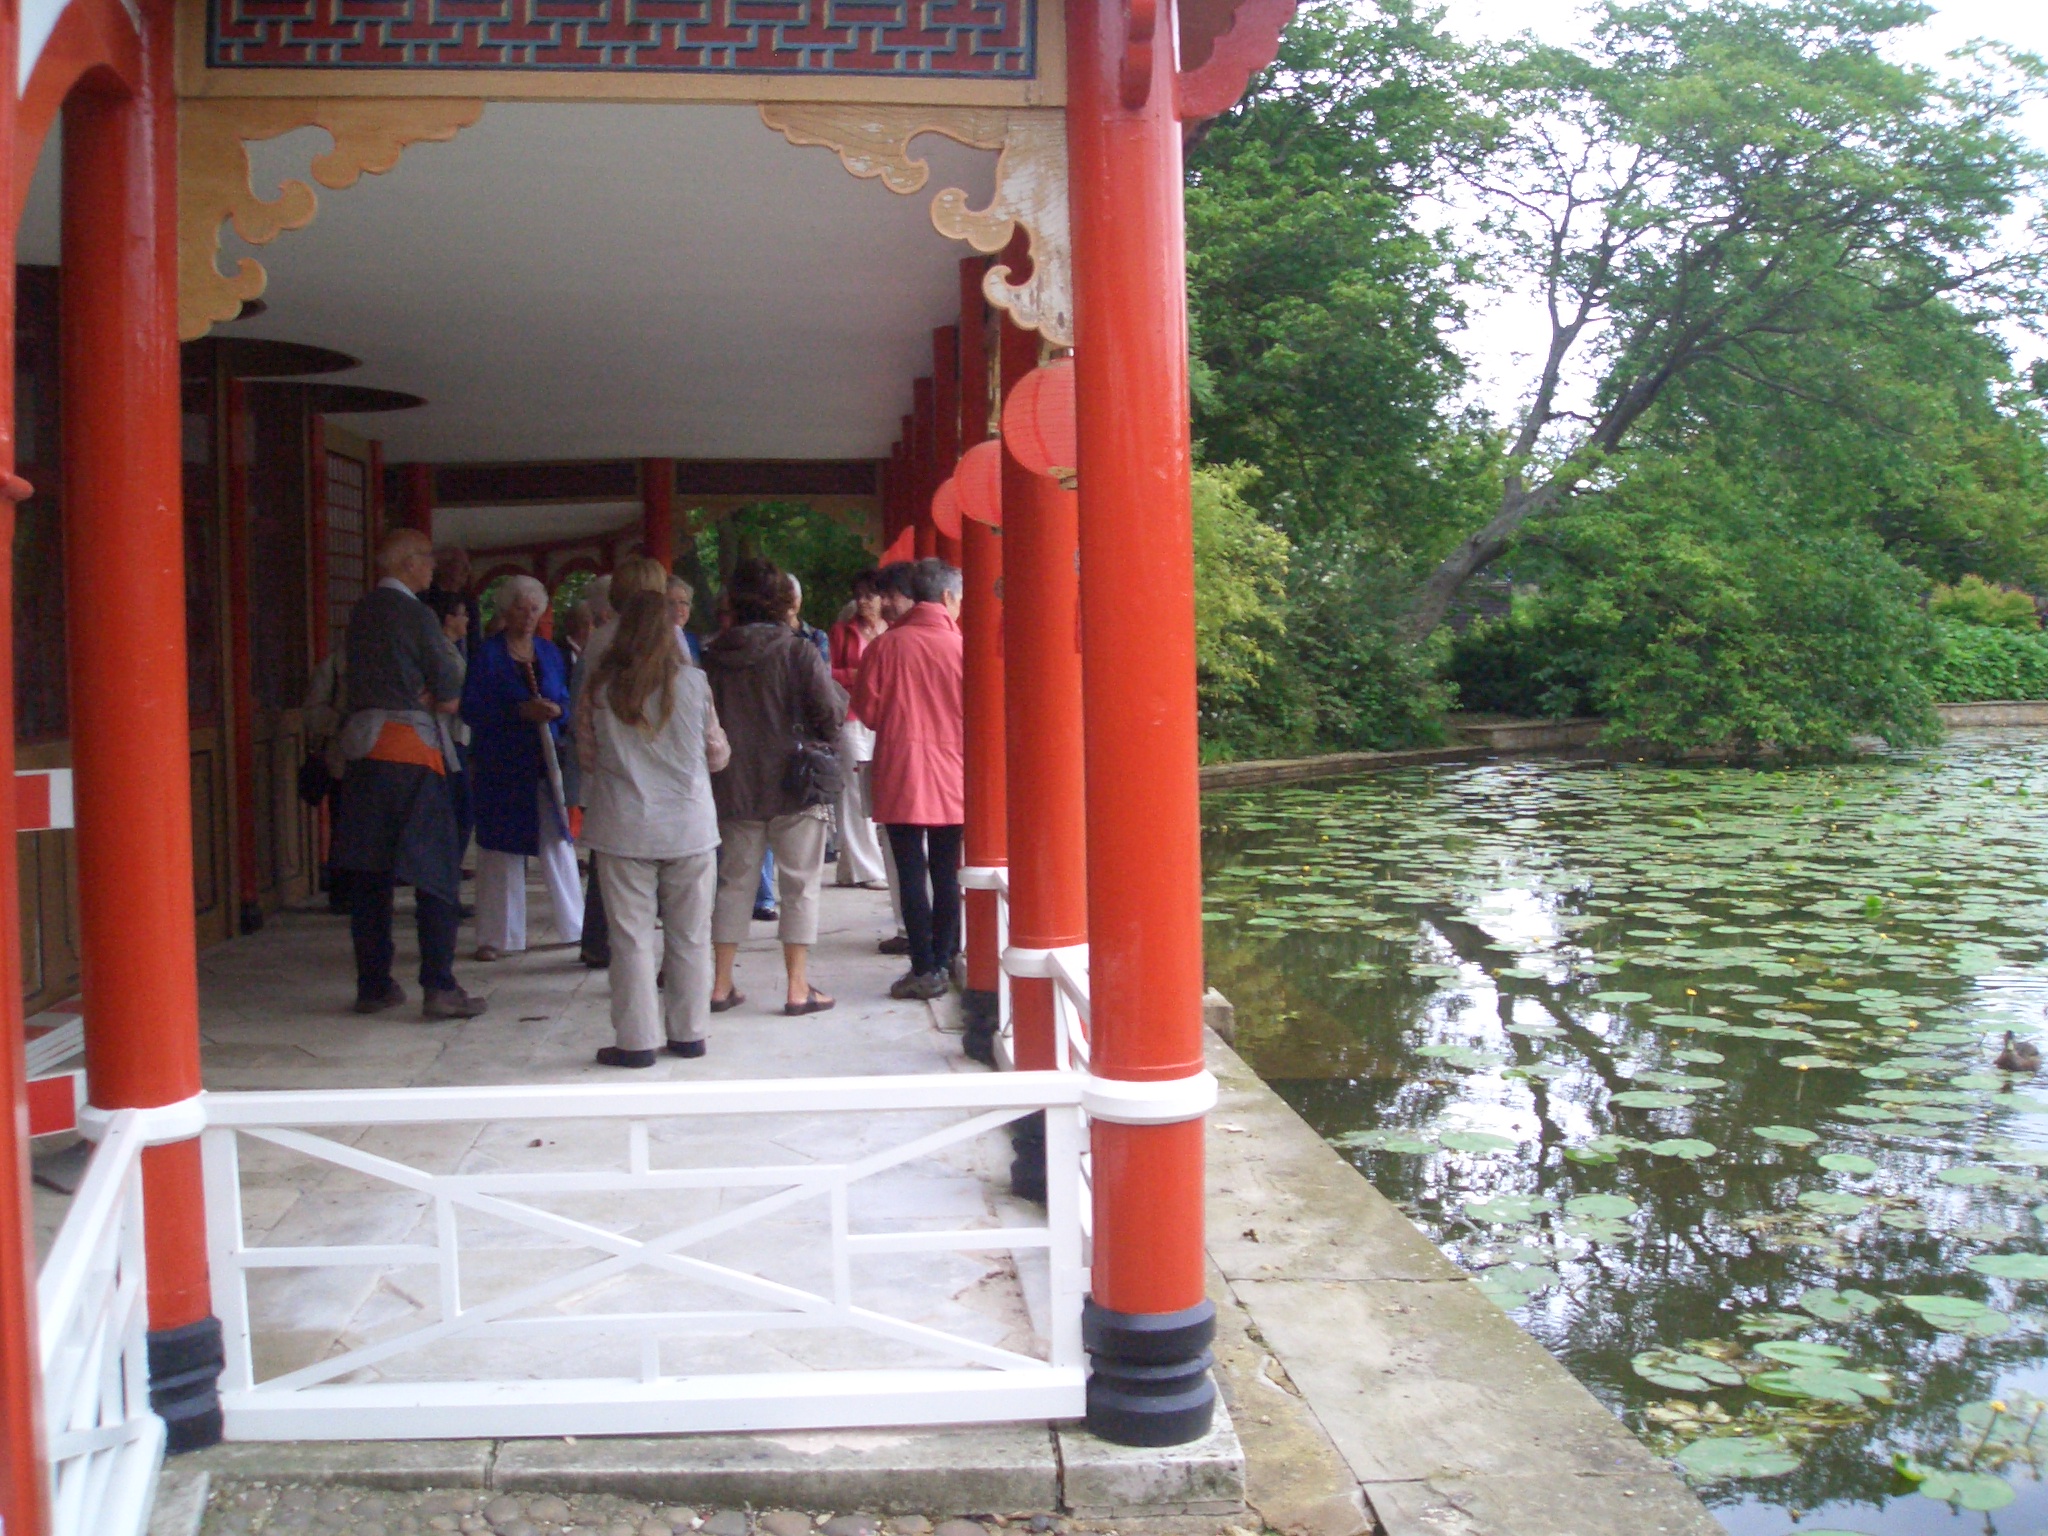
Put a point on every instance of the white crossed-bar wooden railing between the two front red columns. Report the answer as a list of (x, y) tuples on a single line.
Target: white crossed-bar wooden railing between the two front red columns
[(677, 1222)]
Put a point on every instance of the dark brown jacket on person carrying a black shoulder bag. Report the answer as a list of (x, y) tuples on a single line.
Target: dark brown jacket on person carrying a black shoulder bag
[(771, 687)]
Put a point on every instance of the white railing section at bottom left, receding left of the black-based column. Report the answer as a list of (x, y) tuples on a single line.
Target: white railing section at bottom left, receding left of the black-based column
[(105, 1445)]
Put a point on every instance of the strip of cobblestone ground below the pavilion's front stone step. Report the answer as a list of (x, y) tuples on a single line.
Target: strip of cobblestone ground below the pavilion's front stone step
[(302, 1510)]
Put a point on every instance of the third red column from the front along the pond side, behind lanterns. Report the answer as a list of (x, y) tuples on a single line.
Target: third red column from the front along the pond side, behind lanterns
[(982, 622)]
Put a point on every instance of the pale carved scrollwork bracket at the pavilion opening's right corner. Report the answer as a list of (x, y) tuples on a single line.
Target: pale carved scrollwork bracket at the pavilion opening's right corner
[(1031, 187)]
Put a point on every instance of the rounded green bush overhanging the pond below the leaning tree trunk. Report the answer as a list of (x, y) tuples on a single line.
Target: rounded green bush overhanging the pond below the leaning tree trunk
[(1697, 613)]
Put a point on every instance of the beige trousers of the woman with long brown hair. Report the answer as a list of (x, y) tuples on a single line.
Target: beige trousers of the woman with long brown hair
[(681, 894)]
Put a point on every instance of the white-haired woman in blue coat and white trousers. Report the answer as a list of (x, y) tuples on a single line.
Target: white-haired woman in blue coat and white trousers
[(517, 703)]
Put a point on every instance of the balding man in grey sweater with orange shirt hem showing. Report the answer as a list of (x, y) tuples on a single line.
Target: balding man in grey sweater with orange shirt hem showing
[(396, 824)]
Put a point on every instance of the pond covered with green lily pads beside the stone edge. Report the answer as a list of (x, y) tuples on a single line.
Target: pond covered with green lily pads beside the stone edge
[(1695, 1070)]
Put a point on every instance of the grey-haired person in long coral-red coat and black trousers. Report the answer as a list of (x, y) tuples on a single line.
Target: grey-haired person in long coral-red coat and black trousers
[(910, 695)]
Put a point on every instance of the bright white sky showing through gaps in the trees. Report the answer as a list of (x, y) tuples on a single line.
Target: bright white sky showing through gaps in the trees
[(1504, 331)]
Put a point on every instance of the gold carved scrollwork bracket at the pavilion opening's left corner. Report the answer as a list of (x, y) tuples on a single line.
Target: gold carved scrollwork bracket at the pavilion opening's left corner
[(216, 181)]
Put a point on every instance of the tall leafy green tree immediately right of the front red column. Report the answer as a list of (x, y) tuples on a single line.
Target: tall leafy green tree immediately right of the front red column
[(1320, 296)]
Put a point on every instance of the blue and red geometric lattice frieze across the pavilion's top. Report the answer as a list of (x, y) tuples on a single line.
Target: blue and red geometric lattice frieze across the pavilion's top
[(923, 40)]
